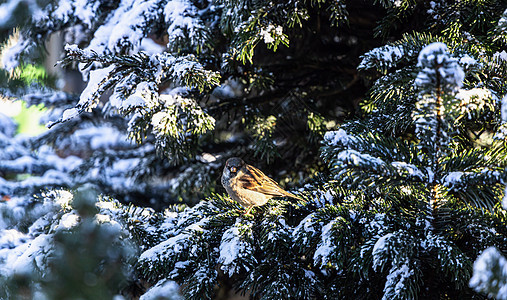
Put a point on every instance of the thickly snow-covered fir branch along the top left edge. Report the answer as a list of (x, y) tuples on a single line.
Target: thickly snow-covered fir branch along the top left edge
[(122, 29)]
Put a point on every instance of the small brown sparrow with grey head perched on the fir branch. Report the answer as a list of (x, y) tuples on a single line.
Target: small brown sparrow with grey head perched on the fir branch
[(248, 186)]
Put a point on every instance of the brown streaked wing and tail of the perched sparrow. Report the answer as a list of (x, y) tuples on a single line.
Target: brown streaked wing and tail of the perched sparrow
[(256, 181)]
